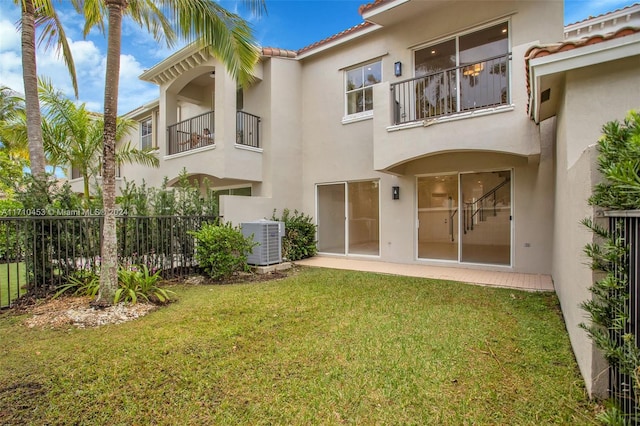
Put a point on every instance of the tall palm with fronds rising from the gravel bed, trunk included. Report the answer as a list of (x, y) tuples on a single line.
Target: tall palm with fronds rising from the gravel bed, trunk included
[(228, 38)]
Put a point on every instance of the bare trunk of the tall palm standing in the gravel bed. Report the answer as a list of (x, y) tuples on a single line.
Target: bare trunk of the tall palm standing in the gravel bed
[(109, 262)]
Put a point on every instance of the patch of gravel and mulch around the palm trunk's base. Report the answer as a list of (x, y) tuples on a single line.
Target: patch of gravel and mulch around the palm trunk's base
[(75, 311)]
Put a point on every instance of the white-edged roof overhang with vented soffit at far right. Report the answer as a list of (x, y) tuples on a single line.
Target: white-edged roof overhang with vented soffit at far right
[(546, 73)]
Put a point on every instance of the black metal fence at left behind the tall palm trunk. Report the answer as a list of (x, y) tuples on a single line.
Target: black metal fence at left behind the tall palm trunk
[(37, 254)]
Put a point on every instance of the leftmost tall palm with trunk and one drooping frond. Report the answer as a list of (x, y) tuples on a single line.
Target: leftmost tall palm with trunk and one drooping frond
[(39, 13)]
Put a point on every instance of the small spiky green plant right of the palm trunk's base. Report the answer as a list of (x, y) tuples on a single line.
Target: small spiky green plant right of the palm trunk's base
[(139, 283)]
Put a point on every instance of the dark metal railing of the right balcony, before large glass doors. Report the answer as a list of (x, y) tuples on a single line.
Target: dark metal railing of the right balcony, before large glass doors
[(463, 88)]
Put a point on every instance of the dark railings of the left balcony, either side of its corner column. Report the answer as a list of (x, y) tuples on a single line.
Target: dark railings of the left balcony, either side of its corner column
[(199, 131)]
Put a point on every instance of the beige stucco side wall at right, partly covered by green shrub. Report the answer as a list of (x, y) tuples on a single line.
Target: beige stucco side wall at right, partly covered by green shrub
[(592, 96)]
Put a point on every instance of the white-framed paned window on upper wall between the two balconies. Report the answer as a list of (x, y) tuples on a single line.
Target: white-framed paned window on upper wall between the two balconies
[(359, 92)]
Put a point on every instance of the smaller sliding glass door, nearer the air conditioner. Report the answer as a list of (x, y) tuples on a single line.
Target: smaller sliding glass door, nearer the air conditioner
[(349, 218)]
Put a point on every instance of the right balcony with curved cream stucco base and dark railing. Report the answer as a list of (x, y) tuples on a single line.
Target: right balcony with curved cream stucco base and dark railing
[(466, 108)]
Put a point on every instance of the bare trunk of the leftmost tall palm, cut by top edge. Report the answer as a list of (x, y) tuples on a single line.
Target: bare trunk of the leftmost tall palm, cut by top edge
[(30, 78)]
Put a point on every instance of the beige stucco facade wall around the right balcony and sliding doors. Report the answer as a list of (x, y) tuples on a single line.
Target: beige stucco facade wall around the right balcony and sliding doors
[(335, 152)]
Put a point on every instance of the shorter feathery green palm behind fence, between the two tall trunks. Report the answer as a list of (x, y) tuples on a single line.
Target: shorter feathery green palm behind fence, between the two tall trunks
[(74, 136)]
